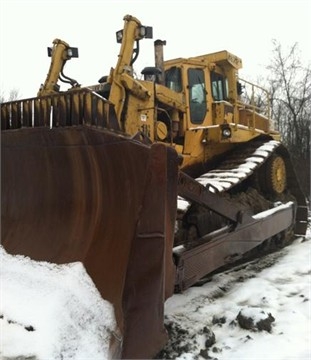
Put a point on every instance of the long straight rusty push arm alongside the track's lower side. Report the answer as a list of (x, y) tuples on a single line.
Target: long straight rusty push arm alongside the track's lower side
[(229, 245)]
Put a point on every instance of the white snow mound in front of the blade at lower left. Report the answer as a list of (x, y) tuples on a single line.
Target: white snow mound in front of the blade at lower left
[(50, 311)]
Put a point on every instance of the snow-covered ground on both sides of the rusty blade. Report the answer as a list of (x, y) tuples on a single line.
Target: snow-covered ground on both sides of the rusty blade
[(75, 323)]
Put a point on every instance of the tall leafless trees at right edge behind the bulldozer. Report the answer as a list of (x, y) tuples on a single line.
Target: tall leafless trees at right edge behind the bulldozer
[(290, 89)]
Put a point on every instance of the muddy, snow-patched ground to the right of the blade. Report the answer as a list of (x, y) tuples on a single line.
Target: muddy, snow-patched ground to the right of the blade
[(204, 322)]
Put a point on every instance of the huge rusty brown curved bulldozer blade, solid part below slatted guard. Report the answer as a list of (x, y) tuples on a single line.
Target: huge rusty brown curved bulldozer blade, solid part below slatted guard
[(85, 194)]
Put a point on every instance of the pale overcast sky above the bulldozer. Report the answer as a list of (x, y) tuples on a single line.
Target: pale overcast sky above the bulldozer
[(190, 27)]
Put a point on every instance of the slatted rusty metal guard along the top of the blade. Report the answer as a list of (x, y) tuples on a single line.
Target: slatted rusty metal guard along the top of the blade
[(76, 107)]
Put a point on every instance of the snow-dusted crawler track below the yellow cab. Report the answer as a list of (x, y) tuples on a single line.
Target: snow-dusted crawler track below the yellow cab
[(242, 175)]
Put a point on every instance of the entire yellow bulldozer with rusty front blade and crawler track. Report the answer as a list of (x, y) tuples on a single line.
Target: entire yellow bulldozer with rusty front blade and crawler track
[(151, 182)]
